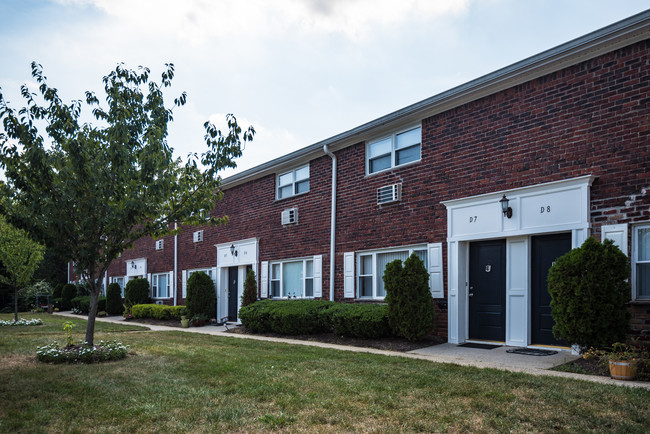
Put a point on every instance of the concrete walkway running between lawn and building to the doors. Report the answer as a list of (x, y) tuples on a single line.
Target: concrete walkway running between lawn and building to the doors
[(496, 358)]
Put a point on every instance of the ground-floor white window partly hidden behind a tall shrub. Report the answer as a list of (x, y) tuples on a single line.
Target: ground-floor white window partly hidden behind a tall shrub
[(371, 268)]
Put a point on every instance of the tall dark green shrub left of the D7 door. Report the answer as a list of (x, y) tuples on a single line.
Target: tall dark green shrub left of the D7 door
[(410, 305)]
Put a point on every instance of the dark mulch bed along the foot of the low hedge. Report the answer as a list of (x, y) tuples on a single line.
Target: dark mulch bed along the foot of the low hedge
[(391, 344)]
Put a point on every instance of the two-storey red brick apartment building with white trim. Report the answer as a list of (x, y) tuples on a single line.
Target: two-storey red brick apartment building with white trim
[(562, 136)]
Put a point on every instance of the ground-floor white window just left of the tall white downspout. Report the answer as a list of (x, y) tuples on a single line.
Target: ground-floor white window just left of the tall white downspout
[(292, 279)]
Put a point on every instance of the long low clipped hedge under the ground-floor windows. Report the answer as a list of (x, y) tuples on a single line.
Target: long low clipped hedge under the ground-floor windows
[(294, 317)]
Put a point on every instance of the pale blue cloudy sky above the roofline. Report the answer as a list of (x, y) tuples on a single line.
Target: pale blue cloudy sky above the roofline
[(299, 71)]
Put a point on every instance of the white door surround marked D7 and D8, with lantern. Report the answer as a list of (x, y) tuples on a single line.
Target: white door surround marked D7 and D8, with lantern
[(561, 206)]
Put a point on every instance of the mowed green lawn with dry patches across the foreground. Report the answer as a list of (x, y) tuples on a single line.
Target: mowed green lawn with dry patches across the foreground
[(184, 382)]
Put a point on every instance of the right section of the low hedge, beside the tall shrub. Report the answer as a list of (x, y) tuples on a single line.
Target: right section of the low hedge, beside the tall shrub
[(367, 321)]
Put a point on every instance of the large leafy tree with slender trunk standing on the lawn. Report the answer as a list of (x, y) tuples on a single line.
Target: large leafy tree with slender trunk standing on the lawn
[(95, 189)]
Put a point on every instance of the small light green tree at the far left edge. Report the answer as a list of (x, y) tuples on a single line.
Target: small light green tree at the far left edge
[(20, 257)]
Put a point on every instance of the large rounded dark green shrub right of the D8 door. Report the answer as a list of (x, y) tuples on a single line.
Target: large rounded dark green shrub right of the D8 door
[(589, 290)]
